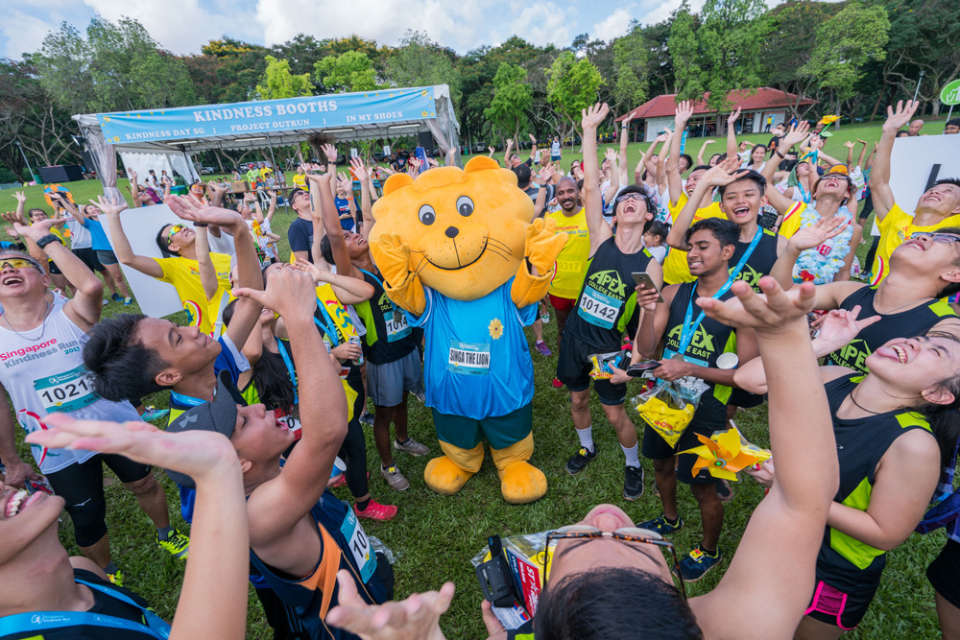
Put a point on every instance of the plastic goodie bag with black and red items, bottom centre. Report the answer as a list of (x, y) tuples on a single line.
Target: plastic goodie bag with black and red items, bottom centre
[(510, 571)]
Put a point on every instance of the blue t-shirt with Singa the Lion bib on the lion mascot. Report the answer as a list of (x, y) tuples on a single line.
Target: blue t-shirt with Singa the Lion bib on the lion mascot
[(476, 362)]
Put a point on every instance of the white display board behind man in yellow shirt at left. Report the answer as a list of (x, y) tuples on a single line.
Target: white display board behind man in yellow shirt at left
[(141, 226)]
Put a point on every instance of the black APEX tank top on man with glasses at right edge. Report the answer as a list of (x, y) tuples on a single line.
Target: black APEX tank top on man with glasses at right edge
[(905, 324)]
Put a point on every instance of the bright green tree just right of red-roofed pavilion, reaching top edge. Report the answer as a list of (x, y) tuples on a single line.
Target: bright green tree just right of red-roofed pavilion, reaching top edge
[(844, 44)]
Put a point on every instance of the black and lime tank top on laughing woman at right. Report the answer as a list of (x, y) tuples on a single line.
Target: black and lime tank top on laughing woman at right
[(861, 443)]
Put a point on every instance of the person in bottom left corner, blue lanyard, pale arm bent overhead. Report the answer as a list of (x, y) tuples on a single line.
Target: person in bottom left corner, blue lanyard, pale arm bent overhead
[(46, 594)]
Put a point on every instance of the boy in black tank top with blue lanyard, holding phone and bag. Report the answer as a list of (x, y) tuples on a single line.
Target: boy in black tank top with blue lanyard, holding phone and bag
[(692, 345)]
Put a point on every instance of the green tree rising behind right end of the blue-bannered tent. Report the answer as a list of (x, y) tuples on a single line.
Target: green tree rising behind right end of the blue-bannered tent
[(419, 61)]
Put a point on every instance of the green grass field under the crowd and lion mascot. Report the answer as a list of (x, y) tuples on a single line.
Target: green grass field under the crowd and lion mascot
[(434, 537)]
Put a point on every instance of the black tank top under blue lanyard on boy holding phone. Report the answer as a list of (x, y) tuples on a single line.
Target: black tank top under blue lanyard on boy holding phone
[(710, 339)]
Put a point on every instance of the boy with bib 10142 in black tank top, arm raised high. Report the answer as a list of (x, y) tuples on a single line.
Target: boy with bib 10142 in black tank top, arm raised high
[(607, 302)]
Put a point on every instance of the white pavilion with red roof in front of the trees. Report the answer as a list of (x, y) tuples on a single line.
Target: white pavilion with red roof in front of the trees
[(761, 109)]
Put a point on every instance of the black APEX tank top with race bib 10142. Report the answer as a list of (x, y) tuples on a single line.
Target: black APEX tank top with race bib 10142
[(608, 298)]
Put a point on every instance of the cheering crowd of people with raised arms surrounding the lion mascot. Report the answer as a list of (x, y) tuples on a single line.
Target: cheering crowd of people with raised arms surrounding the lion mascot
[(745, 287)]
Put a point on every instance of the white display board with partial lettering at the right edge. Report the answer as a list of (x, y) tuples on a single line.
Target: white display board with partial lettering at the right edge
[(913, 160)]
